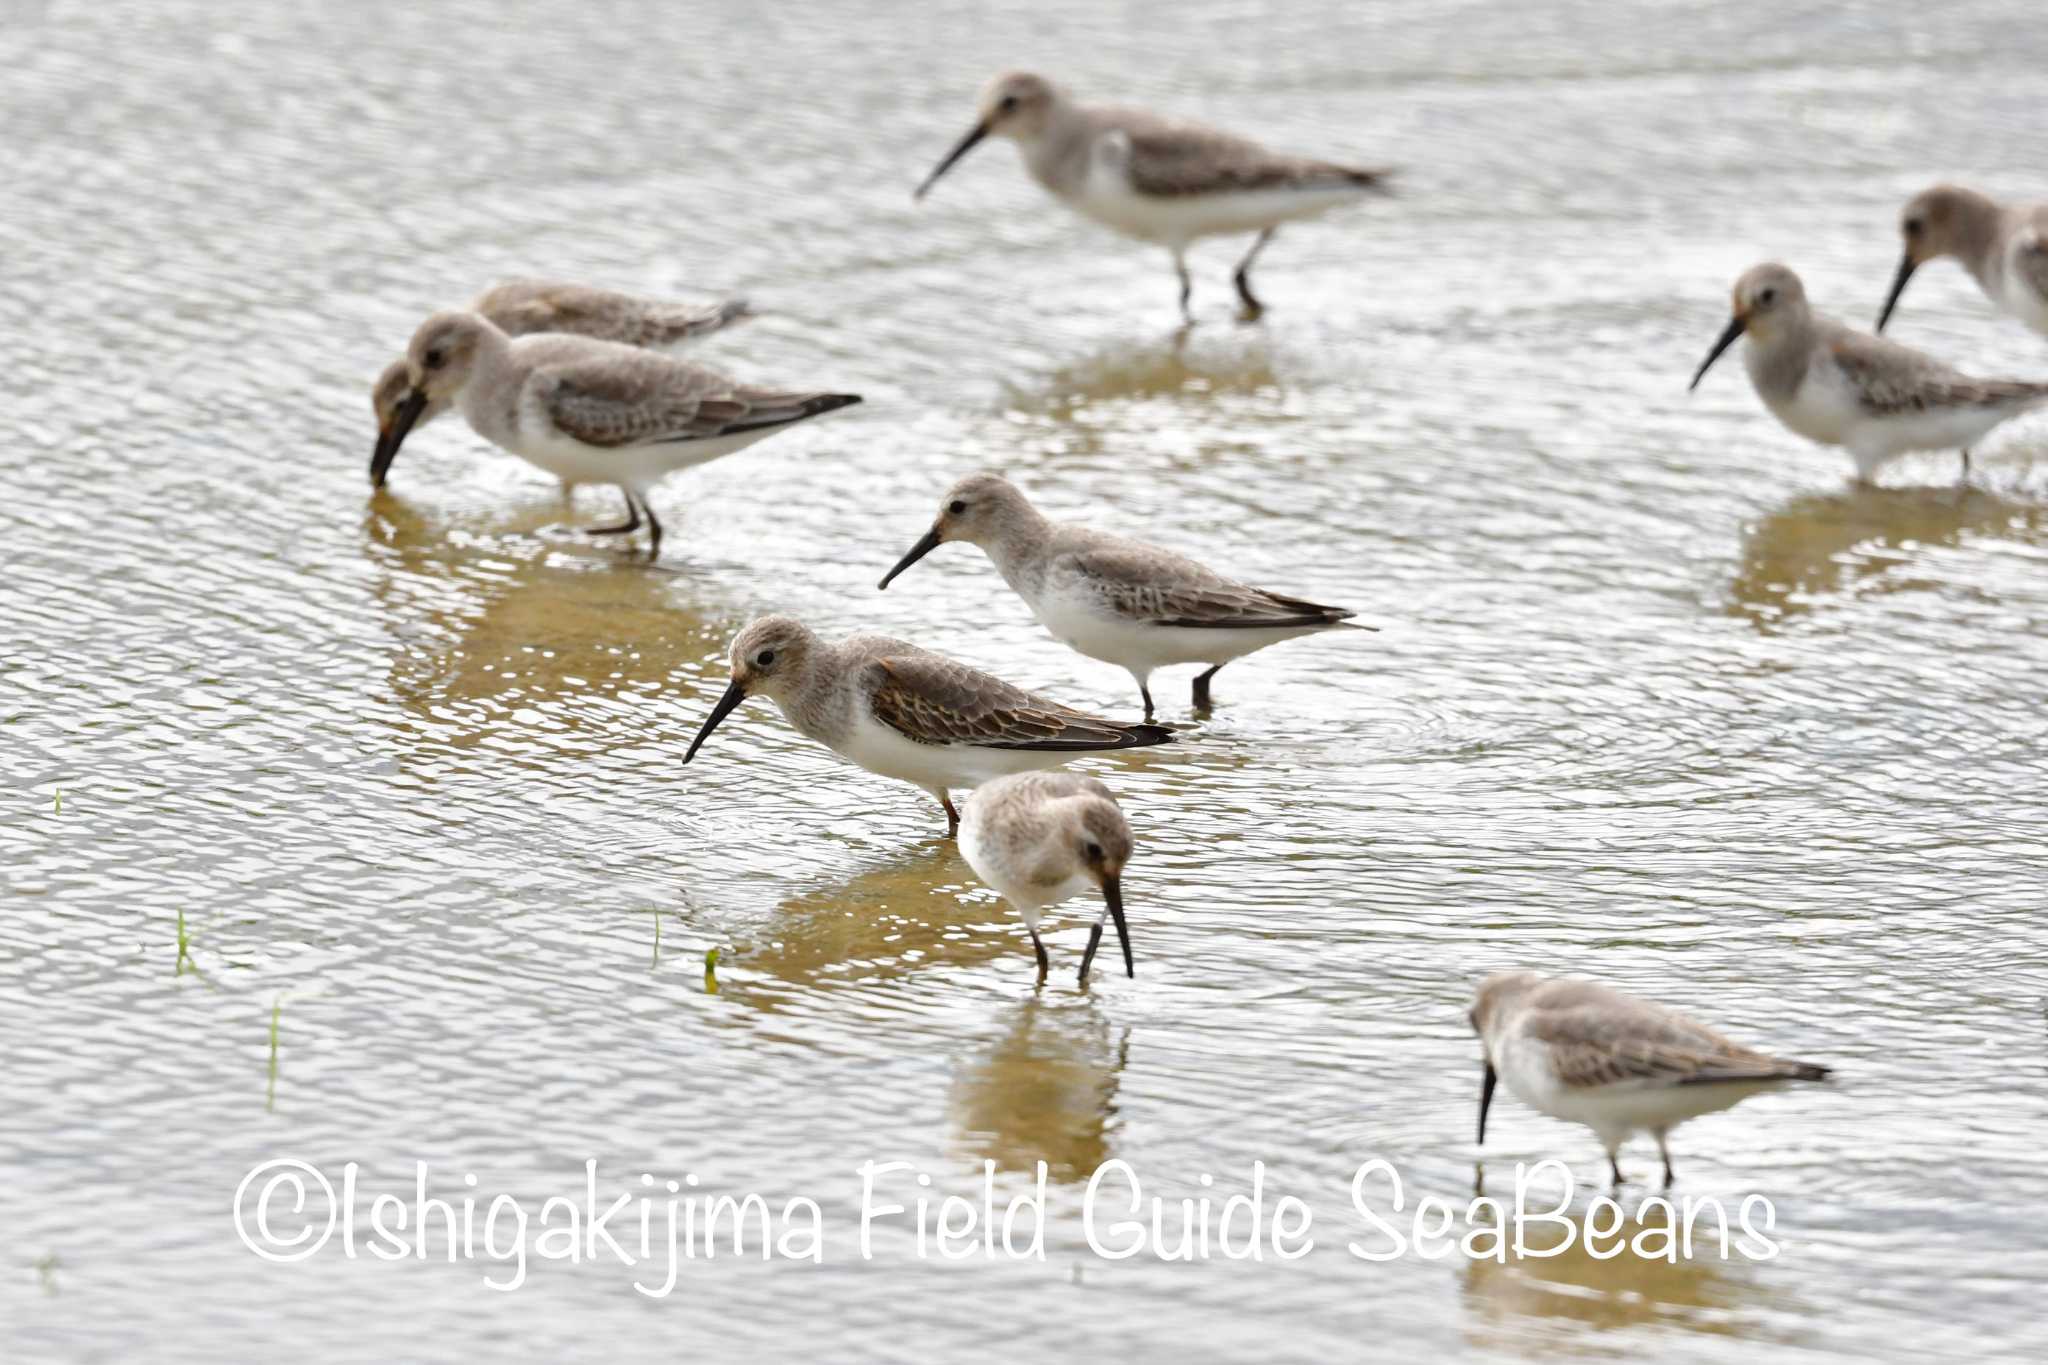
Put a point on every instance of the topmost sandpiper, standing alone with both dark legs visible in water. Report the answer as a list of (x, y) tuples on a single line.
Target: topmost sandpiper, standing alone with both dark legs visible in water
[(1154, 179)]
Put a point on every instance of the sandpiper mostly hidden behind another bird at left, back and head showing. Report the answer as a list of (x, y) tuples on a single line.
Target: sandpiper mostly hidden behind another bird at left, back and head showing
[(523, 308)]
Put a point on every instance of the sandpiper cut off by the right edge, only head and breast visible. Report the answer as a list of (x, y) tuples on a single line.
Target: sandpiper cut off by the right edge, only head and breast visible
[(2002, 247)]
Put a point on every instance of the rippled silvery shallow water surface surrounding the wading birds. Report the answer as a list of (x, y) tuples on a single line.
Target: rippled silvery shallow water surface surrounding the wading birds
[(1654, 699)]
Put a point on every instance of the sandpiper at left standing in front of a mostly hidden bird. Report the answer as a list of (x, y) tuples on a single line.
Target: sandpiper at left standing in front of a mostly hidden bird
[(587, 410)]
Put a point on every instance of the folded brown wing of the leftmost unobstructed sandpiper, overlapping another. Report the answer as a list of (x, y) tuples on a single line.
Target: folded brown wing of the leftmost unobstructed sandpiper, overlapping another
[(654, 400)]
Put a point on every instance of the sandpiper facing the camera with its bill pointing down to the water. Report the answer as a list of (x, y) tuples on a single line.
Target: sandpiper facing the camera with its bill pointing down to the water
[(1043, 838)]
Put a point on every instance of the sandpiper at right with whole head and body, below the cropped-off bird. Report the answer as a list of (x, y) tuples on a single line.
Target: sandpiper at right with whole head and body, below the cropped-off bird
[(1844, 388)]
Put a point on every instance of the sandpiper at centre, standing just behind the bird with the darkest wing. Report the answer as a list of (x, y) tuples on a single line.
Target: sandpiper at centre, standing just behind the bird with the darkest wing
[(1117, 601)]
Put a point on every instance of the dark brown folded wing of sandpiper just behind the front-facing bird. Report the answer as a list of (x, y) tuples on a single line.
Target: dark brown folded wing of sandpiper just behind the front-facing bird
[(935, 701)]
